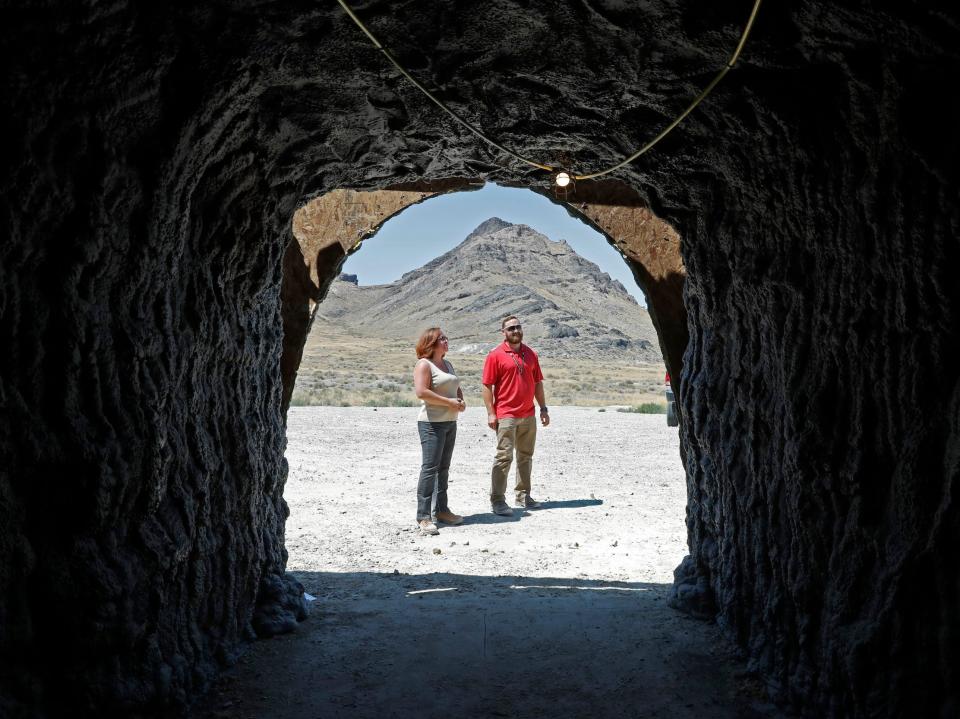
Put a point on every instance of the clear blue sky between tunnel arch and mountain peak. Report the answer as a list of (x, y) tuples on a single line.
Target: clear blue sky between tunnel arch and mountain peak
[(424, 231)]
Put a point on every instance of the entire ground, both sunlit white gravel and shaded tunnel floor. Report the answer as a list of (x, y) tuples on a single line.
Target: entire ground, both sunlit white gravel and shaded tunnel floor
[(556, 612)]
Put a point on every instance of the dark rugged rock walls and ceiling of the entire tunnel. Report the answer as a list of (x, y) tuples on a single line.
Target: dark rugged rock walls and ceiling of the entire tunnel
[(154, 157)]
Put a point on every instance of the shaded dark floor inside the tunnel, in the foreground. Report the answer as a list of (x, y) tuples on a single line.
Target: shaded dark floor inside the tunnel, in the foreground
[(431, 645)]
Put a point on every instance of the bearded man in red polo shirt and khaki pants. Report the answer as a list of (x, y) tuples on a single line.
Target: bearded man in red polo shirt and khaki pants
[(511, 379)]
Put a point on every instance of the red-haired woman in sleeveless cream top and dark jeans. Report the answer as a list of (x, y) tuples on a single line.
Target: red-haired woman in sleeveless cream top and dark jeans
[(439, 391)]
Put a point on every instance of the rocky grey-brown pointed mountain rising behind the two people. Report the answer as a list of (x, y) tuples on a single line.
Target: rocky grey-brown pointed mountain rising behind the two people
[(568, 307)]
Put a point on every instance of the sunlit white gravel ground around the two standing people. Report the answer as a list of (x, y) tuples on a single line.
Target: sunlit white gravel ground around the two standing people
[(611, 483)]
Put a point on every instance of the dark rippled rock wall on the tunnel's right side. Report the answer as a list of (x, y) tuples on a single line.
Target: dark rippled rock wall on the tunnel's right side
[(822, 377)]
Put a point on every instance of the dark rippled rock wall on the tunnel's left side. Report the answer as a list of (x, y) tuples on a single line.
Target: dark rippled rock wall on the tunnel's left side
[(141, 434)]
